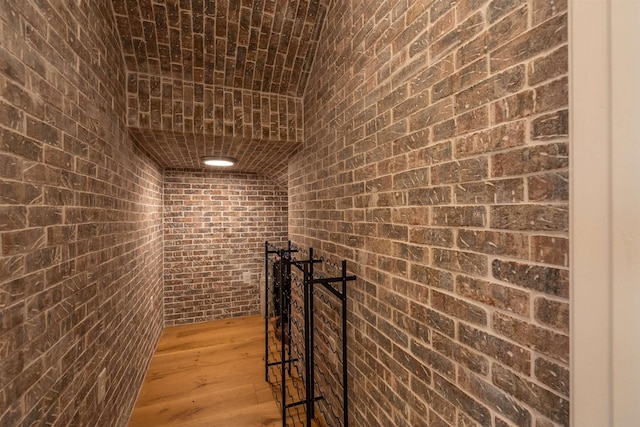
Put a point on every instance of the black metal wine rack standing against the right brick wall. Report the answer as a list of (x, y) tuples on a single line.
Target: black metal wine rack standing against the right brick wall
[(291, 366)]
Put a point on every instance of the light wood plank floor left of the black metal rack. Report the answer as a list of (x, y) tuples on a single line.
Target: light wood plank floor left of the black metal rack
[(208, 374)]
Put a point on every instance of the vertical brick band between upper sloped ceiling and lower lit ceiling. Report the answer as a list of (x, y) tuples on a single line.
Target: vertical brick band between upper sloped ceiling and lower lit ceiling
[(162, 103)]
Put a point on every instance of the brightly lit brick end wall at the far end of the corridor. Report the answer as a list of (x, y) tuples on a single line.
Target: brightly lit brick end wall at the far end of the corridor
[(215, 228)]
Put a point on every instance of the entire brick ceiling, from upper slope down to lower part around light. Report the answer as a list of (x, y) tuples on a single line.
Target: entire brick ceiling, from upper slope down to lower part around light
[(247, 46)]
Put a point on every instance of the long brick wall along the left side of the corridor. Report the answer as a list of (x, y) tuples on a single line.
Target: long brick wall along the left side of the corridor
[(80, 221)]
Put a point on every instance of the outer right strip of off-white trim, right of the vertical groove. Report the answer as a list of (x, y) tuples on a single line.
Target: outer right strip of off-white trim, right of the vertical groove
[(625, 172)]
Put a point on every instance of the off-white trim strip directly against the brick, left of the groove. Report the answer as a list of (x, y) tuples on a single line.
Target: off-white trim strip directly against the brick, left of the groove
[(590, 210)]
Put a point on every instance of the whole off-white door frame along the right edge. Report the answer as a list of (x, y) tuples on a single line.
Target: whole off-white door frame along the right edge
[(605, 212)]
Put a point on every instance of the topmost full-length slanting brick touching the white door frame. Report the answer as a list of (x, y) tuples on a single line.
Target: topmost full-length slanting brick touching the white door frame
[(544, 37)]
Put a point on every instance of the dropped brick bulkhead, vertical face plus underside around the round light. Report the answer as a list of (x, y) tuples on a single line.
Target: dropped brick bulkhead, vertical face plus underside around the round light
[(178, 122)]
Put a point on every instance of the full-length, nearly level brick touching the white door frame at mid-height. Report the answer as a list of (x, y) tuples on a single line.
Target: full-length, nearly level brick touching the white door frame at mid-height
[(529, 217)]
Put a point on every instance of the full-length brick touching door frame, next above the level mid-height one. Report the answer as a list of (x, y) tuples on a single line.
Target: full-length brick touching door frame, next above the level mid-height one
[(530, 160)]
